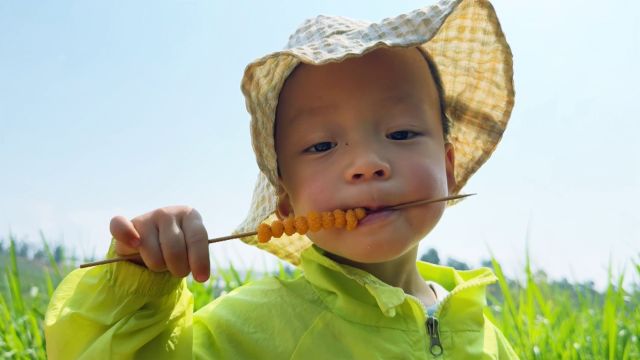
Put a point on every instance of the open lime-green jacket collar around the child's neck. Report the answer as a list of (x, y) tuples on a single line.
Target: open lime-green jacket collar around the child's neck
[(352, 291)]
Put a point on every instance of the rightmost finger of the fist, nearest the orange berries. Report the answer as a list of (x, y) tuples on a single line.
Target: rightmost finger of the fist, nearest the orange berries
[(197, 241)]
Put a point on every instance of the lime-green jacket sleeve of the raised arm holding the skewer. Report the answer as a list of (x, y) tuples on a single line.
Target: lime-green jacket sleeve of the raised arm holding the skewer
[(122, 311)]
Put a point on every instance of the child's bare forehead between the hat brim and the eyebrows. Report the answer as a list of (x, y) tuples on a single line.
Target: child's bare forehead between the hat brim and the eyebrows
[(382, 77)]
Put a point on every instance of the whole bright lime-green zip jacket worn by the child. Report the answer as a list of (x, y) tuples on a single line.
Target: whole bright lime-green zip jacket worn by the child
[(334, 311)]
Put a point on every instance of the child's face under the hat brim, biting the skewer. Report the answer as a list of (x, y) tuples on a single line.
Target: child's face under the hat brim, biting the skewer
[(365, 132)]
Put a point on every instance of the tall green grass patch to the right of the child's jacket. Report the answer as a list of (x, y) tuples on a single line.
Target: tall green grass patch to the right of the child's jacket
[(545, 321)]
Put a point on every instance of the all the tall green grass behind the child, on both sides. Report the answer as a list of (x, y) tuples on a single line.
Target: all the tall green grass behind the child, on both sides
[(541, 319)]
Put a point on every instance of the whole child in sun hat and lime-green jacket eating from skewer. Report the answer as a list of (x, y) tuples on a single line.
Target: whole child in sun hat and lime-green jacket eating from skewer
[(351, 114)]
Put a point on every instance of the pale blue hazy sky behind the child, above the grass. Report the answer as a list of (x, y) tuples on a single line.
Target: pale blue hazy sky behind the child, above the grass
[(117, 107)]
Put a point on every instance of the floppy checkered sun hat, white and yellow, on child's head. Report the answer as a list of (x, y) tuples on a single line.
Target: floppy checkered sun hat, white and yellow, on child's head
[(464, 40)]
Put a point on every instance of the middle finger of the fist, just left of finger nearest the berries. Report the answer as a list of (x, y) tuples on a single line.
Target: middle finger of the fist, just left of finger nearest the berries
[(173, 246)]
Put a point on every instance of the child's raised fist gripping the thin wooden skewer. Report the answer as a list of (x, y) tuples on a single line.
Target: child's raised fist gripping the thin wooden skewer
[(171, 238)]
